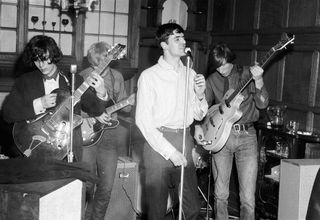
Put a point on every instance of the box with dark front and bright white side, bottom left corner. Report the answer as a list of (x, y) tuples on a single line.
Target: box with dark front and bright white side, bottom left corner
[(48, 200)]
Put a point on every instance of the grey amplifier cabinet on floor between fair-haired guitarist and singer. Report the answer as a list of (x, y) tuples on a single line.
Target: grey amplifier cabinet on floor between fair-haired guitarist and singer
[(123, 202)]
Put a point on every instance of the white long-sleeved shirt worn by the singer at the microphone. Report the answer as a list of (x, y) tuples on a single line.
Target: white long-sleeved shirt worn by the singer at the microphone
[(160, 102)]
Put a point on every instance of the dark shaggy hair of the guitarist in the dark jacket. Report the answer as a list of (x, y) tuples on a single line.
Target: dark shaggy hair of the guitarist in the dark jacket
[(38, 47)]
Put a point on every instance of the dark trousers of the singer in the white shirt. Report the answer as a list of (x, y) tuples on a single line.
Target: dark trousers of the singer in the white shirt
[(161, 175)]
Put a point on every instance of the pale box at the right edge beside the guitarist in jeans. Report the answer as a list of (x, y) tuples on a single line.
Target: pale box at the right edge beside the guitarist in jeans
[(296, 181)]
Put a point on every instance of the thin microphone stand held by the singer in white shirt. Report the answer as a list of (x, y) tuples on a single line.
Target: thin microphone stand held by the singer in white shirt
[(184, 133)]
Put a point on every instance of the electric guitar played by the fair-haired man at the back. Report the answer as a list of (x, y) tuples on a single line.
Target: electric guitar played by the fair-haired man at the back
[(92, 129)]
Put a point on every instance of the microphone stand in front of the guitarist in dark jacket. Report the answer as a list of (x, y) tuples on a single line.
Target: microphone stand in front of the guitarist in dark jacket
[(70, 156)]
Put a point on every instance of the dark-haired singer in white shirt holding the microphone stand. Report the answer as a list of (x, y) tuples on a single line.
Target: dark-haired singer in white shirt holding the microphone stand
[(160, 117)]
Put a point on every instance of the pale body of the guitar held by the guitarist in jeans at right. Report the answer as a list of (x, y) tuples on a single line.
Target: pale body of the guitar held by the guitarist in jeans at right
[(219, 120)]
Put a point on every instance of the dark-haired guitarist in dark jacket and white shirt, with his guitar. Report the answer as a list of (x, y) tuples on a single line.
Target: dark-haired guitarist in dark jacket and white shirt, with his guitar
[(39, 109)]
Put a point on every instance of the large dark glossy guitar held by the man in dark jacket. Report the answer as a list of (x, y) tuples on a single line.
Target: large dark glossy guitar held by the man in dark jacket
[(49, 134)]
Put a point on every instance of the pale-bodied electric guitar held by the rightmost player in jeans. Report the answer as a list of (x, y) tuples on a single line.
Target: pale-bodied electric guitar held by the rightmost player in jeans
[(220, 118)]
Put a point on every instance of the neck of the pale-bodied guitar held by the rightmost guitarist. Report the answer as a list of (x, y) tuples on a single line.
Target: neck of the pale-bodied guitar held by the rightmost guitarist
[(244, 83)]
